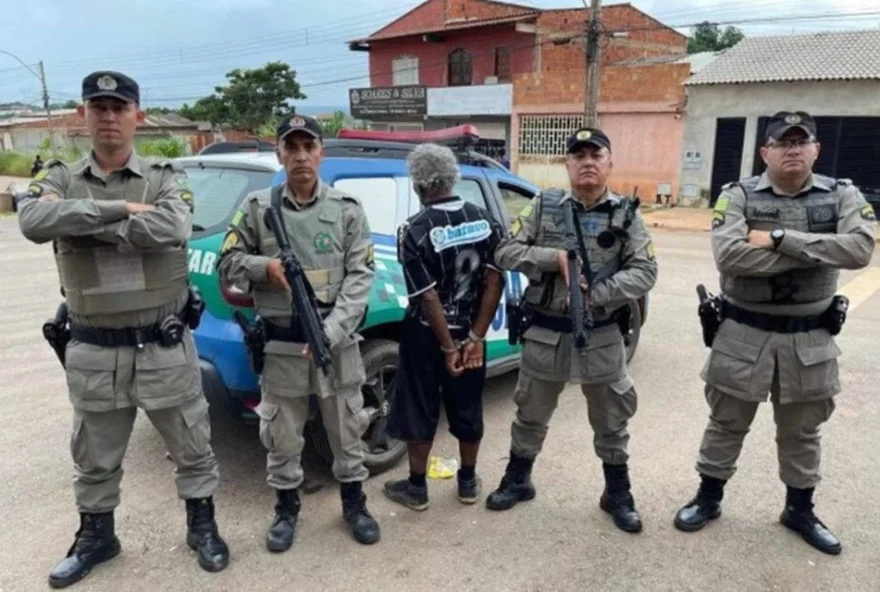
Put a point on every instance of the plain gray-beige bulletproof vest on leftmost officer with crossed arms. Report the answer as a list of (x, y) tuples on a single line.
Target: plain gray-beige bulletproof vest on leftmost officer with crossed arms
[(96, 278)]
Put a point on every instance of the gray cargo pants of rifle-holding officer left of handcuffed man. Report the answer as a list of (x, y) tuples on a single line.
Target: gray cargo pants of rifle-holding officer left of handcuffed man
[(287, 381)]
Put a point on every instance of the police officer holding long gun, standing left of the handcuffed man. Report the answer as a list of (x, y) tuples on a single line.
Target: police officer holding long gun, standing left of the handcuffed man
[(331, 238)]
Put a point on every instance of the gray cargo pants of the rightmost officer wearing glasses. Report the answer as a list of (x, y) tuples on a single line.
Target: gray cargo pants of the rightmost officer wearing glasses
[(800, 373)]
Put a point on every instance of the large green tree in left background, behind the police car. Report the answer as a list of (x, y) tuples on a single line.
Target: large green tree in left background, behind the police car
[(251, 99)]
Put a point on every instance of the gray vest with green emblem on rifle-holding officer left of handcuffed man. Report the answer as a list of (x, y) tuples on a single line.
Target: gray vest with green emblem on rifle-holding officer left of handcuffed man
[(317, 238)]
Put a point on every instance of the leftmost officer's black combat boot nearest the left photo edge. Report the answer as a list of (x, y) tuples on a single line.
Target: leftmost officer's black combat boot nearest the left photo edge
[(94, 543)]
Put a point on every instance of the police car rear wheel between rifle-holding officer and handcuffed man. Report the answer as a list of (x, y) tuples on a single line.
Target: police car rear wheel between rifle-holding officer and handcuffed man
[(381, 452)]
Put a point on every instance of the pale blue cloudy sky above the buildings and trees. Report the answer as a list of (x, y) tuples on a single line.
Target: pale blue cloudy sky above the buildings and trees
[(180, 49)]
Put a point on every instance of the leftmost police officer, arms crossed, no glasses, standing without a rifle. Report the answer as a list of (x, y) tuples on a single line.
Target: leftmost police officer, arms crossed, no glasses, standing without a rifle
[(119, 224)]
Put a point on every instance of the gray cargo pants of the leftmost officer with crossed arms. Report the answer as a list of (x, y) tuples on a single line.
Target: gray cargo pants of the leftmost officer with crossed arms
[(107, 386)]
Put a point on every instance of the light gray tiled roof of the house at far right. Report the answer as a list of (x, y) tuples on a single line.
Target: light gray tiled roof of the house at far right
[(844, 55)]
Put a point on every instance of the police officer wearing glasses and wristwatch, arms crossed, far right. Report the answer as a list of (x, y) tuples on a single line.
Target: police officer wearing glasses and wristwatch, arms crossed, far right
[(779, 241)]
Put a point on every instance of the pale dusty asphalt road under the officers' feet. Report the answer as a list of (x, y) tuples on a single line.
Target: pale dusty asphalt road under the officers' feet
[(559, 541)]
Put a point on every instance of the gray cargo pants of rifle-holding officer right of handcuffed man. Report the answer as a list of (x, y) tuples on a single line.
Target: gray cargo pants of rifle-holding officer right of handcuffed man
[(548, 363)]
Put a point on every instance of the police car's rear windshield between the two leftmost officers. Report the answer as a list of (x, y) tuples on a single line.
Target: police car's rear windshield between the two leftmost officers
[(217, 193)]
